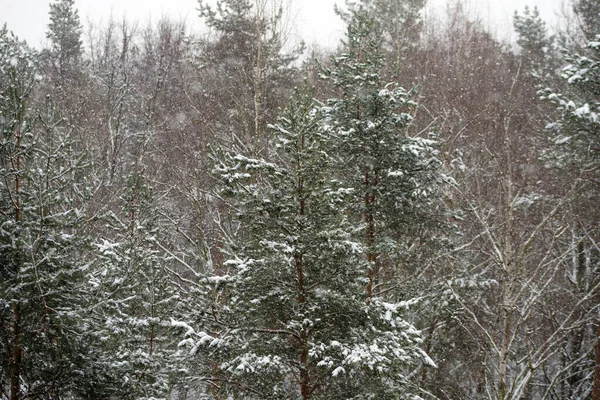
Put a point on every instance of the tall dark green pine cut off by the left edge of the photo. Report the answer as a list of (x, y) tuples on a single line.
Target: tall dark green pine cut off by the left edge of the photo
[(45, 346)]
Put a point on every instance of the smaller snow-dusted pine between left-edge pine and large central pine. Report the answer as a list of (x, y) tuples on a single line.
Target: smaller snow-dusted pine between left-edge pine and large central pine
[(135, 299)]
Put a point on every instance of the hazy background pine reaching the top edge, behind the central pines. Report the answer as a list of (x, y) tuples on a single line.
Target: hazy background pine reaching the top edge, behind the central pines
[(248, 68)]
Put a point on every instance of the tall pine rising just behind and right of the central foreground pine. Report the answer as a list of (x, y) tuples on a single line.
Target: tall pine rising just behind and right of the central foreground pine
[(395, 179)]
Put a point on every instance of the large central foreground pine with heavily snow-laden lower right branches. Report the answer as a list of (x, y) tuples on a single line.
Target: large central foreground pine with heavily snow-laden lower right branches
[(293, 321)]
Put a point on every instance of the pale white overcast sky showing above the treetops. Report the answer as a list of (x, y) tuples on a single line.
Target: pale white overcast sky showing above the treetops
[(315, 19)]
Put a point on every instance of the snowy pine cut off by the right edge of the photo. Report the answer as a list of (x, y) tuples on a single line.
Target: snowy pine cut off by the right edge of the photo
[(575, 153)]
